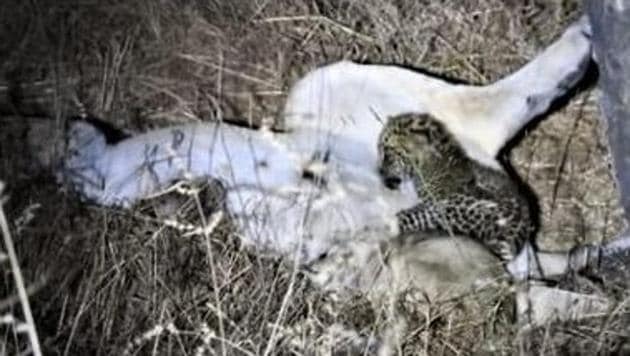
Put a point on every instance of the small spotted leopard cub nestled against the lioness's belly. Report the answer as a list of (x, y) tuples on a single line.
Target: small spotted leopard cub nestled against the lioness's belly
[(457, 194)]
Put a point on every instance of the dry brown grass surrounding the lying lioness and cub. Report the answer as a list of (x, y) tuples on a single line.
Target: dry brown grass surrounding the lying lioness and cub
[(107, 282)]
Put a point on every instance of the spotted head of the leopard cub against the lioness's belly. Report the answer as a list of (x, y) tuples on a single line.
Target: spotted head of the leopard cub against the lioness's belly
[(406, 144)]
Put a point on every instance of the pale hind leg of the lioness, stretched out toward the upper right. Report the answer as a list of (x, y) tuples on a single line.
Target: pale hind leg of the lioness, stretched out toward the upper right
[(495, 113)]
